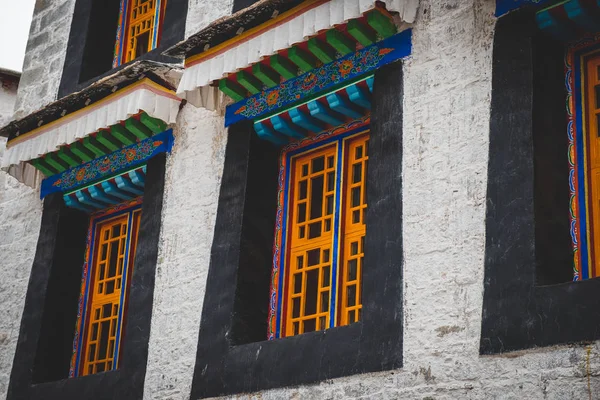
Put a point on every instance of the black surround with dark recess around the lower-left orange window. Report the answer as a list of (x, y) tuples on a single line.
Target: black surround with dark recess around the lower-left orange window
[(41, 363)]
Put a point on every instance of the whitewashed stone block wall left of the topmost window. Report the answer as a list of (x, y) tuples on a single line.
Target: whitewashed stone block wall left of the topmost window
[(45, 55)]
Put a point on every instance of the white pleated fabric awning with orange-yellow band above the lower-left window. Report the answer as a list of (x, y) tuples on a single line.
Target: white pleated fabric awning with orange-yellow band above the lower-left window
[(143, 96)]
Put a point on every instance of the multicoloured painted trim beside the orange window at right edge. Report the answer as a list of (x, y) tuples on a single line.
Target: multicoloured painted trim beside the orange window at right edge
[(576, 133)]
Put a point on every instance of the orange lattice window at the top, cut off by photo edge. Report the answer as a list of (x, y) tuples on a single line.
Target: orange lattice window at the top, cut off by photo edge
[(139, 29)]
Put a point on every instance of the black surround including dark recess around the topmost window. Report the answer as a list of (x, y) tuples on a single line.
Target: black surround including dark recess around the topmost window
[(92, 40)]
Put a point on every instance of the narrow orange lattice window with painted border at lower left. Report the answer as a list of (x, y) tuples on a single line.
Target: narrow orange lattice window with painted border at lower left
[(112, 244)]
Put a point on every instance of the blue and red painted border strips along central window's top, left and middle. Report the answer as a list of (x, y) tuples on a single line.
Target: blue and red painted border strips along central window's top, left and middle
[(339, 139)]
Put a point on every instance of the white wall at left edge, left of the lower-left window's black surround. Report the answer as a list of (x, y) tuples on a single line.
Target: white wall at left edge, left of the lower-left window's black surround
[(20, 217)]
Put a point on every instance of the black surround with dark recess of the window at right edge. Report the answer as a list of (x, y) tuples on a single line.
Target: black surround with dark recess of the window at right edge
[(527, 302)]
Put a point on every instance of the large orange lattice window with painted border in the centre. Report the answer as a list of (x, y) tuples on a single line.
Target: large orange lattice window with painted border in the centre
[(323, 234)]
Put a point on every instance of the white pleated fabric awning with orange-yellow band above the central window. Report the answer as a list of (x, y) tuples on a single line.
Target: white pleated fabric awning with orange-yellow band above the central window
[(280, 33)]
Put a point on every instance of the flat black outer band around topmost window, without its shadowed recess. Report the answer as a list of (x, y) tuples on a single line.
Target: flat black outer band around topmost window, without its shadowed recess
[(173, 31)]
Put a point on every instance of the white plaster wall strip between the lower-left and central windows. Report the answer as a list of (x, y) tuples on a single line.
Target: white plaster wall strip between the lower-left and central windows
[(192, 184)]
